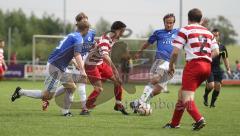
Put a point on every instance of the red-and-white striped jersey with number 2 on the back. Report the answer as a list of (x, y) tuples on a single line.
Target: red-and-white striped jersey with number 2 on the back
[(197, 41)]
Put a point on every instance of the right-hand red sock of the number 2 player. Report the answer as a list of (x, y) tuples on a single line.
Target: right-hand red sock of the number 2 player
[(193, 110)]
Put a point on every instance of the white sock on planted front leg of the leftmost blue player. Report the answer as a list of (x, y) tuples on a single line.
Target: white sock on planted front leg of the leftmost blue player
[(68, 99)]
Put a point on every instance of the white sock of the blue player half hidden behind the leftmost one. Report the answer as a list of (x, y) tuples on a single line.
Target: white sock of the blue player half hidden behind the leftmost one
[(82, 94)]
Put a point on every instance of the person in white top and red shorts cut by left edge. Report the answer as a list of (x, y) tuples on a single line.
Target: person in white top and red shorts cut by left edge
[(3, 66)]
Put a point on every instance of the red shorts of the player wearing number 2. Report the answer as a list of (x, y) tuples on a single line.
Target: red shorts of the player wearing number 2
[(195, 72)]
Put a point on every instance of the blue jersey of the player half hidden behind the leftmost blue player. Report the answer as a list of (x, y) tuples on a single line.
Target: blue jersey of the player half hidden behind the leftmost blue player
[(88, 42)]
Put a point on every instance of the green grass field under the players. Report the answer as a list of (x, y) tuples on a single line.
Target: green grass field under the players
[(25, 118)]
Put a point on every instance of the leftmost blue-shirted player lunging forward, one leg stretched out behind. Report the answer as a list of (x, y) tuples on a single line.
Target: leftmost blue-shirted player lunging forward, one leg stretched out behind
[(70, 47)]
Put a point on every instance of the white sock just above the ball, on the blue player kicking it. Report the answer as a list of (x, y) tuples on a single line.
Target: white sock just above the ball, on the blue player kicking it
[(147, 94)]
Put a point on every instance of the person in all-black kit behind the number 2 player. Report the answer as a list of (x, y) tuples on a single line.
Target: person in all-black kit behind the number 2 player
[(214, 81)]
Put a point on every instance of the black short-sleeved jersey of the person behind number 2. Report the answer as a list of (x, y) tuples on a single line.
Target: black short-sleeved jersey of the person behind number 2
[(216, 60)]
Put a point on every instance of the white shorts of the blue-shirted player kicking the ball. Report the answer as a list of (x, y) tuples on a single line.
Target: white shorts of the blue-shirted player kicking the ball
[(159, 70)]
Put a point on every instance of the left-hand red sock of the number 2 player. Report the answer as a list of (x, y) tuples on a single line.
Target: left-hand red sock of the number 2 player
[(178, 112)]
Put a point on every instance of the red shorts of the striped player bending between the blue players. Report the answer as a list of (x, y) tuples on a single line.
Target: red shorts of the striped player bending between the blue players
[(98, 72)]
